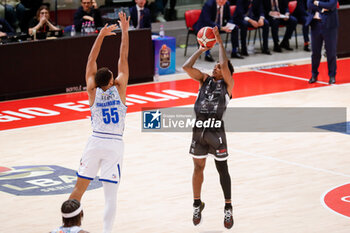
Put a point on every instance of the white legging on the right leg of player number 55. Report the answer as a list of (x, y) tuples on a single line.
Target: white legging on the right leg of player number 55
[(110, 193)]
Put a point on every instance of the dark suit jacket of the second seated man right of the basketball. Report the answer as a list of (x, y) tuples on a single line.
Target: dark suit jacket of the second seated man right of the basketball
[(242, 10)]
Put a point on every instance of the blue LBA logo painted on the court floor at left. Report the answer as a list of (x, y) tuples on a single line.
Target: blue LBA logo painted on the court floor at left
[(39, 180)]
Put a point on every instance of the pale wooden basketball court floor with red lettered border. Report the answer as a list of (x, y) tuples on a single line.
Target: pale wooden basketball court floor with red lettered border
[(289, 182)]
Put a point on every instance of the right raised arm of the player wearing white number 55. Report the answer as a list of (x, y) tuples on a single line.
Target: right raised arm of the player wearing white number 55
[(123, 66)]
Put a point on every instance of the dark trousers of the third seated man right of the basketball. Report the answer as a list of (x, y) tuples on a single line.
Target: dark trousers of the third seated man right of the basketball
[(291, 23)]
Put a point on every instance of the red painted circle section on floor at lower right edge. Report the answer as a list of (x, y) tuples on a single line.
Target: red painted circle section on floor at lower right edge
[(338, 200)]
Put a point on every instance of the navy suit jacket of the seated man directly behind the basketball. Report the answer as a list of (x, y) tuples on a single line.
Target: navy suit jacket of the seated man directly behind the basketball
[(208, 15)]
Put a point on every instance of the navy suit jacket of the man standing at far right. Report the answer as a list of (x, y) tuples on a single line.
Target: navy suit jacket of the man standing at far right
[(329, 18)]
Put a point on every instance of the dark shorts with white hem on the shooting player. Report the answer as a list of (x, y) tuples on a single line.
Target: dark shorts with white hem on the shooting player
[(209, 141)]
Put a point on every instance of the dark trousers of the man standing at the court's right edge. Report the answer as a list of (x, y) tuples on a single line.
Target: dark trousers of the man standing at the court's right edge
[(319, 34)]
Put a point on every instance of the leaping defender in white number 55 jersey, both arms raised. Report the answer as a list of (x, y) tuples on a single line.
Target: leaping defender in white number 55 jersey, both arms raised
[(104, 149)]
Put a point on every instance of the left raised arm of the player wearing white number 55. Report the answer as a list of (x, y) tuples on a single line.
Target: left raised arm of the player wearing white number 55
[(91, 66)]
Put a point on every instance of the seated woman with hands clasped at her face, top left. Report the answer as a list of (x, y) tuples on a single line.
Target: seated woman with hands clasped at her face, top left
[(41, 22)]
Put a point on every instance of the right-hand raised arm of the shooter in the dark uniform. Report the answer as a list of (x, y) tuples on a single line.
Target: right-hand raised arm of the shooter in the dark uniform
[(223, 60)]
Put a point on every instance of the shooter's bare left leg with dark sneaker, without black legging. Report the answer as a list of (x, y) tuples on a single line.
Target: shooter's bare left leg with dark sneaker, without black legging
[(197, 181)]
